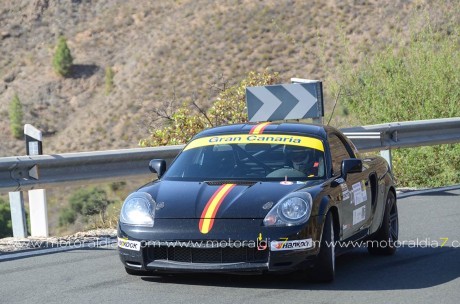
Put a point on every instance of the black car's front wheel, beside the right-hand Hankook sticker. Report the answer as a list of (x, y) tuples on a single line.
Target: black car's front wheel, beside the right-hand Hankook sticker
[(324, 269)]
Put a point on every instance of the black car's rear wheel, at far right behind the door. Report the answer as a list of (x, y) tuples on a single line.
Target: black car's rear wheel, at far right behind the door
[(383, 242)]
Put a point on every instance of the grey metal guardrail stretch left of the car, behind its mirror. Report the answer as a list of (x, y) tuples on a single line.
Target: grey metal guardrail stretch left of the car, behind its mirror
[(79, 168)]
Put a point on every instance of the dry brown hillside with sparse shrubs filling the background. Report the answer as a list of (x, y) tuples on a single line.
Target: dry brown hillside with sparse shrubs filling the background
[(161, 49)]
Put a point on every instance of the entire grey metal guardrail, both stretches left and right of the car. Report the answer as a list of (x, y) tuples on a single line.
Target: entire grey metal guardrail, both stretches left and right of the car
[(80, 168)]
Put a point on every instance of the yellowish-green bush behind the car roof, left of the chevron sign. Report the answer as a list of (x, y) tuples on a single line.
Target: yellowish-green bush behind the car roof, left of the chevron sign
[(229, 108)]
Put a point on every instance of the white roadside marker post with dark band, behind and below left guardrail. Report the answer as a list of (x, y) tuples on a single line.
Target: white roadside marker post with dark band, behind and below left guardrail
[(37, 197)]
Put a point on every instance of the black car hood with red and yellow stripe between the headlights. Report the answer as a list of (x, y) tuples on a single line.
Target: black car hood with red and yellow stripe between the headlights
[(231, 200)]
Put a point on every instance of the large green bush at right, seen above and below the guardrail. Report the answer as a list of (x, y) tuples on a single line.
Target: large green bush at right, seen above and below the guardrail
[(418, 80)]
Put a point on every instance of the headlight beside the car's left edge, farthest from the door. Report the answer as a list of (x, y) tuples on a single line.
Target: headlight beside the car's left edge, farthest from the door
[(138, 210)]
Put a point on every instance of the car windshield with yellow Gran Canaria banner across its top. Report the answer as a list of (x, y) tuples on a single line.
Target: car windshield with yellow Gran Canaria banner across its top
[(271, 157)]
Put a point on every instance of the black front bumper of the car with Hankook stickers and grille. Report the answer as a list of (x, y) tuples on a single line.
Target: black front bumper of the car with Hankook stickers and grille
[(257, 250)]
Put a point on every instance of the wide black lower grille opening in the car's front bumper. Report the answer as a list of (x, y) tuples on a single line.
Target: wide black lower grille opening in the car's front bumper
[(207, 255)]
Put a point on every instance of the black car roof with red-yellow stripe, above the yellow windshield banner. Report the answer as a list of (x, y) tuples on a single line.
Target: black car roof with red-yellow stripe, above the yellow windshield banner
[(271, 128)]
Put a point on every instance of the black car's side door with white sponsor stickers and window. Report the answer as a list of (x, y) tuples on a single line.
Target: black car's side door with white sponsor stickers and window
[(355, 206)]
